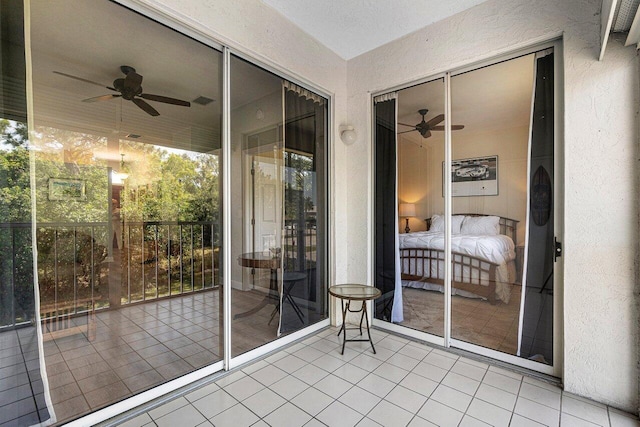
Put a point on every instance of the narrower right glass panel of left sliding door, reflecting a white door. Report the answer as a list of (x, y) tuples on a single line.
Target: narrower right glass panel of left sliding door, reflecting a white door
[(278, 200)]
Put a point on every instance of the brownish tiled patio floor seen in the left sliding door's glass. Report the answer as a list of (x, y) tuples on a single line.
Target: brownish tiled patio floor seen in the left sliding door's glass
[(135, 348)]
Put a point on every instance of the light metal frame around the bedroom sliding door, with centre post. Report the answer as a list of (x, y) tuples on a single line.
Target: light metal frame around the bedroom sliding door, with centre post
[(556, 369)]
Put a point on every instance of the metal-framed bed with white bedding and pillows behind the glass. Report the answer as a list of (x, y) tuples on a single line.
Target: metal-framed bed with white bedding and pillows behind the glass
[(483, 256)]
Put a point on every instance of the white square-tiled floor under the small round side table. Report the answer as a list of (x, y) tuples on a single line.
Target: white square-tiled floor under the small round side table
[(406, 383)]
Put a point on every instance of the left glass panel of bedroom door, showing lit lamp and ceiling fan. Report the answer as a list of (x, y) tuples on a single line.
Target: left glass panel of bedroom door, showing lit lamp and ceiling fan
[(418, 301)]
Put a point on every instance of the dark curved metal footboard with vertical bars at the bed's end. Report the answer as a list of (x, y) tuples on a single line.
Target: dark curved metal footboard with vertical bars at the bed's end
[(470, 273)]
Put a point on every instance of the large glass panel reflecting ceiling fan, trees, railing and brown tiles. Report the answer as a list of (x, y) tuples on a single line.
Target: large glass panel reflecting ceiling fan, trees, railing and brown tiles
[(126, 171)]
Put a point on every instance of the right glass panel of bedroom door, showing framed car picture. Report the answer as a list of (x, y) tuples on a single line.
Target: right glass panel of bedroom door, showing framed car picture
[(492, 190)]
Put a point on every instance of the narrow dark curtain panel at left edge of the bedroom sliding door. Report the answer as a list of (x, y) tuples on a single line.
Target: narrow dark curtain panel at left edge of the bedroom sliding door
[(385, 206)]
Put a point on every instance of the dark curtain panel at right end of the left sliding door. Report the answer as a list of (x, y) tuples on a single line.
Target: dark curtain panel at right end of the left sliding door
[(303, 281)]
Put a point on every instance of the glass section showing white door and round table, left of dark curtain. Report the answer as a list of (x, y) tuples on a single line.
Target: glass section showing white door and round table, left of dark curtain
[(256, 205)]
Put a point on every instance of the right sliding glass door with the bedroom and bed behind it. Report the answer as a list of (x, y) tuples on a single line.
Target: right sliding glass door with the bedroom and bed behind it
[(500, 187)]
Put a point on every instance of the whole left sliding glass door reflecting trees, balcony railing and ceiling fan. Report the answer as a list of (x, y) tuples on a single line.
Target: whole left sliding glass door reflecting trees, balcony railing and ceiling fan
[(115, 160)]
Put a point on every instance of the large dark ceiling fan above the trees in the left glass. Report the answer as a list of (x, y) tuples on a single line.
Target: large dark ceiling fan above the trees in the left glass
[(130, 88)]
